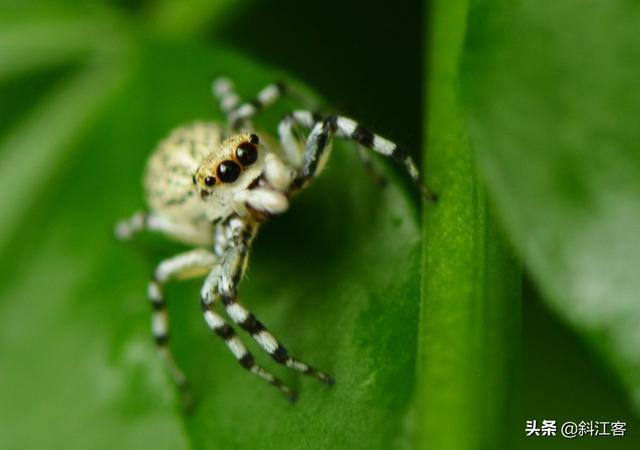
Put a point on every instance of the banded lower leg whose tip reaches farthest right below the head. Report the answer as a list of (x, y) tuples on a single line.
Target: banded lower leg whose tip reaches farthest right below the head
[(232, 269)]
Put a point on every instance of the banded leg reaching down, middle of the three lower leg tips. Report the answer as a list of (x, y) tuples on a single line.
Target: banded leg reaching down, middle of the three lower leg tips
[(222, 329)]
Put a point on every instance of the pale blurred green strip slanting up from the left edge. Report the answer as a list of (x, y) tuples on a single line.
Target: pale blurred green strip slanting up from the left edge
[(34, 149)]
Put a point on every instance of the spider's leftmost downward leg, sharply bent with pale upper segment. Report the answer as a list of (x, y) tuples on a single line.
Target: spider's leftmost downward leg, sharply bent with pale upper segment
[(185, 265)]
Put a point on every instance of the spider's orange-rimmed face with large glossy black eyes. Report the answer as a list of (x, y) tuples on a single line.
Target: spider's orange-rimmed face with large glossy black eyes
[(230, 168)]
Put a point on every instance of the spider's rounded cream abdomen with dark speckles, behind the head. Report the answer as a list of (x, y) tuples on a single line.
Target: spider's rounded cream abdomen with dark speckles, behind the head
[(168, 179)]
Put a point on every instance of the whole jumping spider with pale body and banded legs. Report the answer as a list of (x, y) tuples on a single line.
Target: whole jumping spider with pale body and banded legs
[(211, 186)]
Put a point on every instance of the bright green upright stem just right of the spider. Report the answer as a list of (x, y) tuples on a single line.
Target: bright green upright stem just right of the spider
[(471, 285)]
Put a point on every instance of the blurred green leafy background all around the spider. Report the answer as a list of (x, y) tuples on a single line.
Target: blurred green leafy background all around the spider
[(446, 325)]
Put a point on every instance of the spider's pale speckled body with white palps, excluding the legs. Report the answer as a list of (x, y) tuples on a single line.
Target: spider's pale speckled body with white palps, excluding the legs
[(176, 191)]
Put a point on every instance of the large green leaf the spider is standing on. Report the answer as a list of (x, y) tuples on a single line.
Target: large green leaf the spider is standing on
[(337, 279)]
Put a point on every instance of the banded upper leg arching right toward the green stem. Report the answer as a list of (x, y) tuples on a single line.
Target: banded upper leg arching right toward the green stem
[(322, 131)]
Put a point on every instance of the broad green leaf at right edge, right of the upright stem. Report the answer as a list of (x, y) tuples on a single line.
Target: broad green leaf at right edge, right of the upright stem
[(553, 103)]
